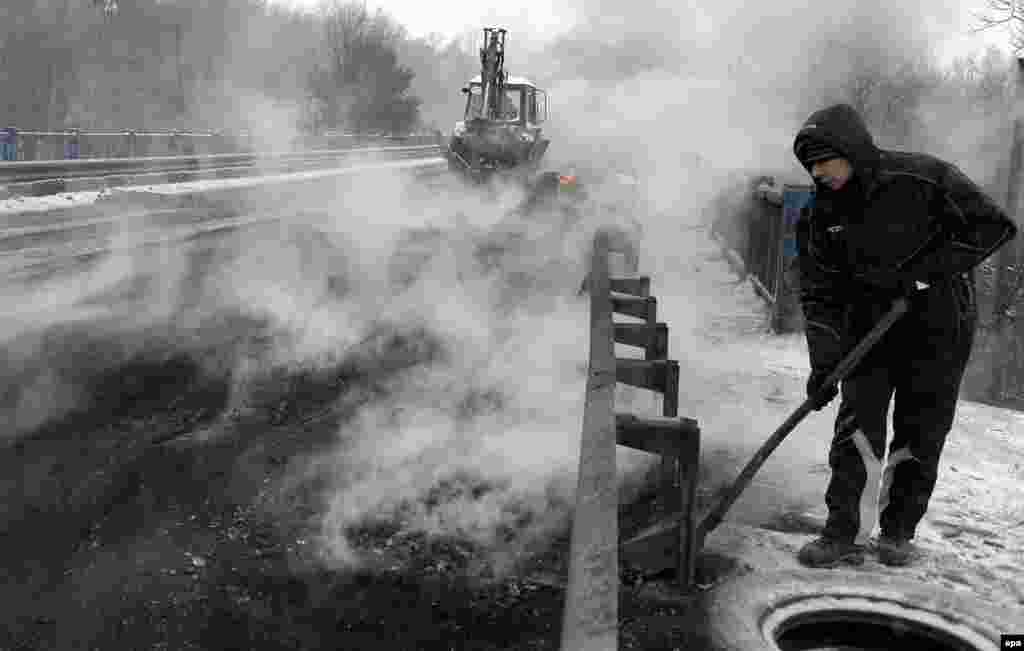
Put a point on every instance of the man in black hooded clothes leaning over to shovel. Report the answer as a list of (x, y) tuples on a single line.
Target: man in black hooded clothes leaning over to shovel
[(885, 226)]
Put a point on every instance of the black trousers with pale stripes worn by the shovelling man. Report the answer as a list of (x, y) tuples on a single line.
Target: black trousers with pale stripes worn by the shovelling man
[(918, 366)]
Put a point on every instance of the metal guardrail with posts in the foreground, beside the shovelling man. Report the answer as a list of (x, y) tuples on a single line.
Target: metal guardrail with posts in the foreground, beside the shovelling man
[(591, 615)]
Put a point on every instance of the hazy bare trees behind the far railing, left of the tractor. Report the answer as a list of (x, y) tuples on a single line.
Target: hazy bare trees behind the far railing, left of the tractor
[(222, 65)]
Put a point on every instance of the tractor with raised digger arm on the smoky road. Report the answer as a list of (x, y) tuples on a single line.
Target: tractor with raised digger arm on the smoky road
[(501, 128)]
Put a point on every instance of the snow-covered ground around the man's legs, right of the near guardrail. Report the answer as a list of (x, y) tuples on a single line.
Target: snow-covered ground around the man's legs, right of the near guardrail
[(741, 382)]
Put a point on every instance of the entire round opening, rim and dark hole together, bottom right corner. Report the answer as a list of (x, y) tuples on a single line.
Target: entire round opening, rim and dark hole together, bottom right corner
[(825, 610)]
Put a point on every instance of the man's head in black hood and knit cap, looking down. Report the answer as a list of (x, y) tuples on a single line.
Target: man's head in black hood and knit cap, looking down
[(836, 141)]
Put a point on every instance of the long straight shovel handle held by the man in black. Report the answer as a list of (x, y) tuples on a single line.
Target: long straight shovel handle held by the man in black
[(715, 516)]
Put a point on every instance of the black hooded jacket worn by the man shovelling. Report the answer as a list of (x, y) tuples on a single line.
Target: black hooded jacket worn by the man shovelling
[(904, 218)]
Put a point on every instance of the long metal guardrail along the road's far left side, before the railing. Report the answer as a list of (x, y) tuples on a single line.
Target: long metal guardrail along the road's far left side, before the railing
[(47, 178)]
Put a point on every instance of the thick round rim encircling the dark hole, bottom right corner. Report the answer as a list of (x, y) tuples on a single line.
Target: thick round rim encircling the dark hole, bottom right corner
[(740, 611)]
